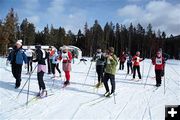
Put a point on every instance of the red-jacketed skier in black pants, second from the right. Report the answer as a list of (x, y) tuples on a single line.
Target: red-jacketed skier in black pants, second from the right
[(136, 64)]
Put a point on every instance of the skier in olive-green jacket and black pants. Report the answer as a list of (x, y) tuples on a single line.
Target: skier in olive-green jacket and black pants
[(110, 70)]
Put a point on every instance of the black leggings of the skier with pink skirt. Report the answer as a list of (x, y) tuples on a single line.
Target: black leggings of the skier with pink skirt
[(41, 81)]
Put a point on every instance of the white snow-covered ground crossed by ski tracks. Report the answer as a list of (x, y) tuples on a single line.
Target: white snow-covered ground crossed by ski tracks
[(80, 100)]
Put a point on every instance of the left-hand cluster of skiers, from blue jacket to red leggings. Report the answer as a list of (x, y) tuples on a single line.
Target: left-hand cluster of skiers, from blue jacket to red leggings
[(18, 55)]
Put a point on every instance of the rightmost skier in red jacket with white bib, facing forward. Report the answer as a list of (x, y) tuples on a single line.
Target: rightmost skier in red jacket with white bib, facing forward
[(159, 62)]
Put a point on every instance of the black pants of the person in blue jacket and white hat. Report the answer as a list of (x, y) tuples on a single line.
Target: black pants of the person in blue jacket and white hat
[(16, 71)]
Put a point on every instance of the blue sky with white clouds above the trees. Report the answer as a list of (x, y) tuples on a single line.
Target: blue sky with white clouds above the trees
[(72, 14)]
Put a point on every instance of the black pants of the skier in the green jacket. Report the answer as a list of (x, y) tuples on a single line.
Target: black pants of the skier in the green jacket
[(108, 76)]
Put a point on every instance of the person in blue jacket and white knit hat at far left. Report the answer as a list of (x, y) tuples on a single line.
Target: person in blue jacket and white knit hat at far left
[(16, 58)]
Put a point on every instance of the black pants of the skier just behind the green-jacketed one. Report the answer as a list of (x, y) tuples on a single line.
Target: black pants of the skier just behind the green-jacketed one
[(100, 71)]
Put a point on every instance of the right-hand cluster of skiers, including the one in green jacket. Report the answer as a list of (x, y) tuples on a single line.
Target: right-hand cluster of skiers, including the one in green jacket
[(106, 67)]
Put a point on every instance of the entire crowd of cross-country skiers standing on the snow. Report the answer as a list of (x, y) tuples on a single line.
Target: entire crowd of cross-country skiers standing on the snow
[(106, 64)]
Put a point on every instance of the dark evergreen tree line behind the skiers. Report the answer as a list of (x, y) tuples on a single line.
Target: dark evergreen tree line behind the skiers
[(122, 38)]
